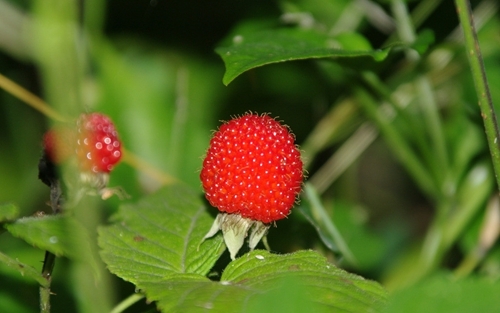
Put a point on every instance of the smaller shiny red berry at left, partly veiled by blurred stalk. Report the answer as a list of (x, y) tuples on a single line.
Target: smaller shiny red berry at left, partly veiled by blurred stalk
[(98, 147)]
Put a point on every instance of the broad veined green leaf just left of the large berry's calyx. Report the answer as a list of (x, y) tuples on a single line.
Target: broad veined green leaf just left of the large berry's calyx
[(159, 236)]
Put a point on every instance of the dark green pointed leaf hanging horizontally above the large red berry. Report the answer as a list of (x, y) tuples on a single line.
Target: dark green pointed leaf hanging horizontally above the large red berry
[(266, 47)]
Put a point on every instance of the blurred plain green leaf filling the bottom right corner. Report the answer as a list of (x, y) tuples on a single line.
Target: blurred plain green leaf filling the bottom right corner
[(441, 294)]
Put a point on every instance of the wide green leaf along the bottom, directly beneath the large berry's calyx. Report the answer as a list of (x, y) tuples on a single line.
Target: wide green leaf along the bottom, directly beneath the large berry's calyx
[(263, 282)]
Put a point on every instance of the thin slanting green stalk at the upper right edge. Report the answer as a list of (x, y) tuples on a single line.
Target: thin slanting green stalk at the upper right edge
[(481, 83)]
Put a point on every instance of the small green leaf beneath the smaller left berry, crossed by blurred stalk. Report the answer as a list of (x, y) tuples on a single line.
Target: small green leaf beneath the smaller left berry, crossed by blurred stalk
[(59, 234)]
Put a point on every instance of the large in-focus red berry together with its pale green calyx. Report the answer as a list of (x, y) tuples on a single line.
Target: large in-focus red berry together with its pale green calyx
[(252, 173)]
